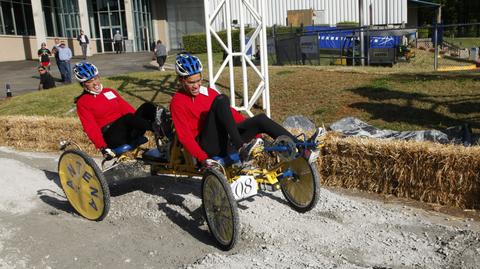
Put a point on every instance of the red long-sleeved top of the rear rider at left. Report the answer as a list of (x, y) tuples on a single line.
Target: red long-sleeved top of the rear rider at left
[(96, 111)]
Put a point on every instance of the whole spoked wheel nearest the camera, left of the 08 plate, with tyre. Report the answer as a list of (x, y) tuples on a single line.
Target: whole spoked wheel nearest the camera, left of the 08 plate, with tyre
[(220, 209)]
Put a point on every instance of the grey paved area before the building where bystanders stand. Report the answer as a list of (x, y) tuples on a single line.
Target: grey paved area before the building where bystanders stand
[(23, 76)]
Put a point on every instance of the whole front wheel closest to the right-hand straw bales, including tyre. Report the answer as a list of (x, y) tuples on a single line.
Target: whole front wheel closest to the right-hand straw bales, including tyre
[(302, 189)]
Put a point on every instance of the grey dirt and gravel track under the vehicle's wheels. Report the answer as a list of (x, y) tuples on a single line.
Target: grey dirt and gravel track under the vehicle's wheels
[(155, 222)]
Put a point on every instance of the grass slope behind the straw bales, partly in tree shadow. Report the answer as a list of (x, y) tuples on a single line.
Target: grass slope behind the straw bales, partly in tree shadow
[(394, 100)]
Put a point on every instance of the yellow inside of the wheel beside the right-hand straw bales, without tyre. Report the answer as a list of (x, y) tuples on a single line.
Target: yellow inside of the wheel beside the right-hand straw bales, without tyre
[(300, 188)]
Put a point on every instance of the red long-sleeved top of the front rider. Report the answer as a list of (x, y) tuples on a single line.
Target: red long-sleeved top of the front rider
[(188, 115)]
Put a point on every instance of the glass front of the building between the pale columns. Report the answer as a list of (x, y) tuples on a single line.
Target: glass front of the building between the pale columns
[(61, 18)]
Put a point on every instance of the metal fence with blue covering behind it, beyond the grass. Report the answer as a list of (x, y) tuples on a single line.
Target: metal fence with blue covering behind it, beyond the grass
[(438, 47)]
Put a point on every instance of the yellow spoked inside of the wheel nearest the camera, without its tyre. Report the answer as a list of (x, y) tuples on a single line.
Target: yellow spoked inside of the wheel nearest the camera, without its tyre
[(218, 210)]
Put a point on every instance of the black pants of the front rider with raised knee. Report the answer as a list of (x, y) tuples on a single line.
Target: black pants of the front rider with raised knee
[(221, 135)]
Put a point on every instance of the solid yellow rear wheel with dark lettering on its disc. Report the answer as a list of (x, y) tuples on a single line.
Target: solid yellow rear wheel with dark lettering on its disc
[(84, 185)]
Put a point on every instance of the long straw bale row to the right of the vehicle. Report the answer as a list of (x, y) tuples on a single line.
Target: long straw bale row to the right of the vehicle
[(424, 171)]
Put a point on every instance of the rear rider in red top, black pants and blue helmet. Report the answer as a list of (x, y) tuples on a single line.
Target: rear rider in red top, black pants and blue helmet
[(108, 120)]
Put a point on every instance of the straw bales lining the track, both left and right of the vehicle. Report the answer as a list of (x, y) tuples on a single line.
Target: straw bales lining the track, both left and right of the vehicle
[(424, 171)]
